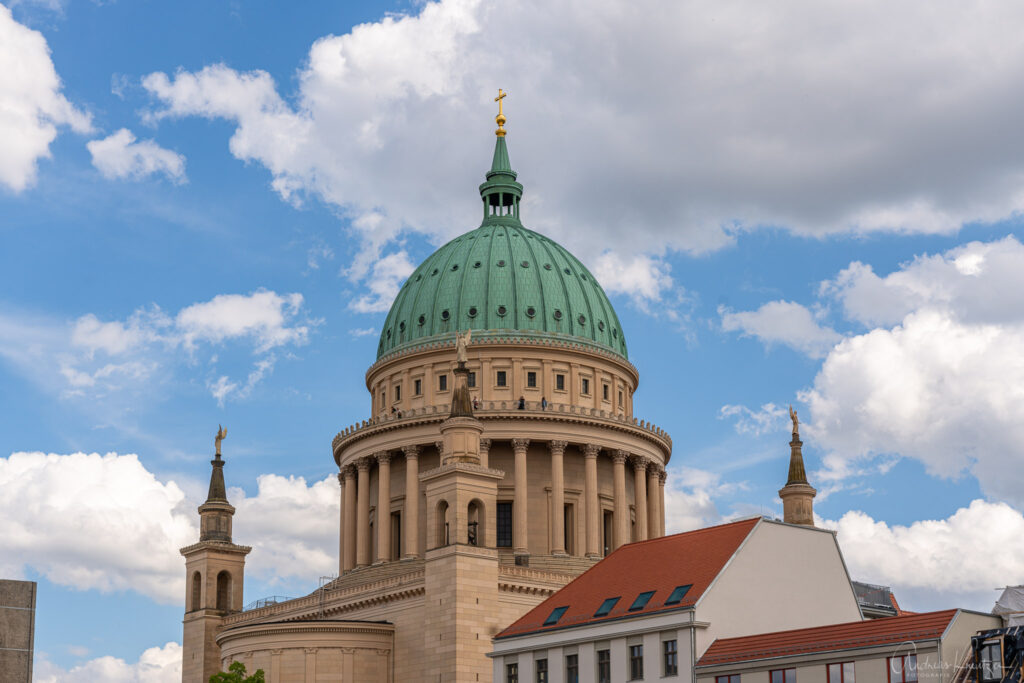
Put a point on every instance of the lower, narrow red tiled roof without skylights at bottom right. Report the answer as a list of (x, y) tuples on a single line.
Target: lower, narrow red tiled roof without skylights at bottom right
[(926, 626)]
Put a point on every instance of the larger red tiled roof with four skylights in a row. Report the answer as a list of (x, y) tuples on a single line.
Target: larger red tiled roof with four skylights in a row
[(659, 565)]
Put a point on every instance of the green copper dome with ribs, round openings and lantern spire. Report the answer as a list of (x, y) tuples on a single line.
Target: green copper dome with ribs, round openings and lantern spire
[(502, 280)]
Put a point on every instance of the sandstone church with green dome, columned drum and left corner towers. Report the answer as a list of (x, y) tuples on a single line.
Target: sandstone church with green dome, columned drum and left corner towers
[(501, 460)]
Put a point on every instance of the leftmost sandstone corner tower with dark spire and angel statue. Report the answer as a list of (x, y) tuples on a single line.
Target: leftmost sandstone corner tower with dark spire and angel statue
[(215, 575)]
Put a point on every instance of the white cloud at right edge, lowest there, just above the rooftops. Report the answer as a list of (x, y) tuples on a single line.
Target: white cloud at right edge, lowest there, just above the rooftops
[(938, 564)]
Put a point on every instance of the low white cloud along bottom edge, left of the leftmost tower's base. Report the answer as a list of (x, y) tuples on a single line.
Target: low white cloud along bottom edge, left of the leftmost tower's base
[(156, 665)]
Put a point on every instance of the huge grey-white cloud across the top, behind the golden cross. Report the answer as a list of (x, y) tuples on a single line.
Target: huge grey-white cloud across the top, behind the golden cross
[(820, 120)]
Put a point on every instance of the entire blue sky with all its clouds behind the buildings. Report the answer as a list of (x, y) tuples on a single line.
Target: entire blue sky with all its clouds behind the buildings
[(205, 210)]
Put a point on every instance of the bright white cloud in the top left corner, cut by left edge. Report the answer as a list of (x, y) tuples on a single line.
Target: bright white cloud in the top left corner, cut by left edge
[(31, 104)]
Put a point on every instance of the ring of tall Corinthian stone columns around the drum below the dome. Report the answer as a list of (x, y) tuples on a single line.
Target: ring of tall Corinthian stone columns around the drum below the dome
[(649, 497)]
